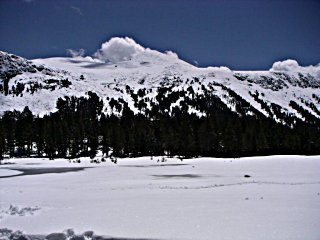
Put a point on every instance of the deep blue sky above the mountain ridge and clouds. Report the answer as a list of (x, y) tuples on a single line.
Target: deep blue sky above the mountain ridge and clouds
[(240, 34)]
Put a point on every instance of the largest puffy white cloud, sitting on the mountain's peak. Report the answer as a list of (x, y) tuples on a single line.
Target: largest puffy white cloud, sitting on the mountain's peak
[(118, 49)]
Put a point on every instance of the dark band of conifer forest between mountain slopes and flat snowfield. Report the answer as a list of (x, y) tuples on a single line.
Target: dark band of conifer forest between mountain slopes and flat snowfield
[(81, 128)]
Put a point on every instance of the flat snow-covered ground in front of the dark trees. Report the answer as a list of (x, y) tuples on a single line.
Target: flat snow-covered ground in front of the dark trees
[(143, 198)]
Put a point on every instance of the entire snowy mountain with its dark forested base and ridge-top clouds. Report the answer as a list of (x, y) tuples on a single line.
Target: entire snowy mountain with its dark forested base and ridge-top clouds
[(127, 100)]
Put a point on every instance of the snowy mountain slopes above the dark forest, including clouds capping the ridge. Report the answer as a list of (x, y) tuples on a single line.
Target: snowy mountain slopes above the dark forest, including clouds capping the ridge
[(122, 65)]
